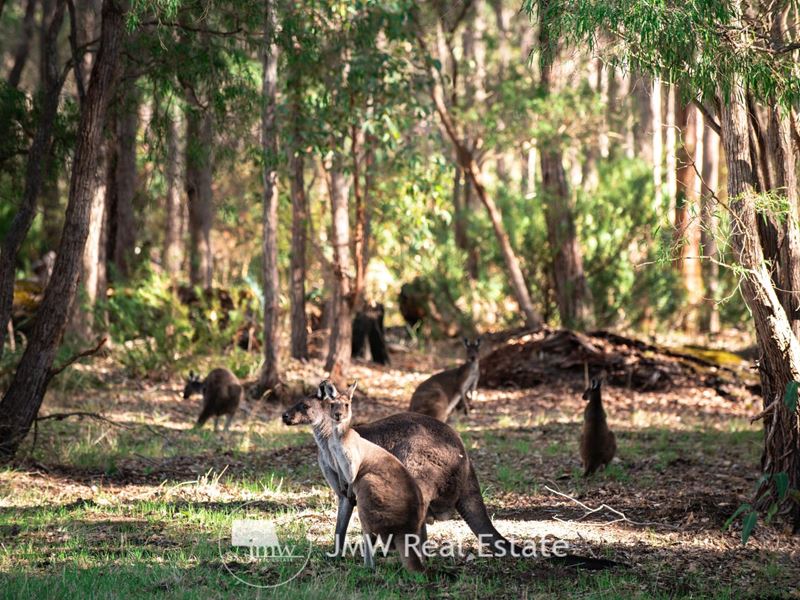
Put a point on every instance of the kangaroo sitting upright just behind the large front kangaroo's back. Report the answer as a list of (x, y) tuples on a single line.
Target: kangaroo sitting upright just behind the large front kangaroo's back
[(438, 395)]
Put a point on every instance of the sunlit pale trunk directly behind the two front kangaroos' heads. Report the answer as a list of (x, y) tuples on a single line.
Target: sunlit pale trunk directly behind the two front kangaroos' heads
[(340, 339)]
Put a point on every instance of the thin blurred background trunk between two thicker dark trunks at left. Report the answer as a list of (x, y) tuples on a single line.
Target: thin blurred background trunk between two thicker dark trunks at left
[(174, 210)]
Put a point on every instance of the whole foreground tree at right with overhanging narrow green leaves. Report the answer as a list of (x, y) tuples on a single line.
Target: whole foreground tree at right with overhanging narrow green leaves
[(738, 63)]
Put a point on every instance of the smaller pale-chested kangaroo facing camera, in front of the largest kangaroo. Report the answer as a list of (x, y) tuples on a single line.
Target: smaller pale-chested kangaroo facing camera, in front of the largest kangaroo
[(389, 501)]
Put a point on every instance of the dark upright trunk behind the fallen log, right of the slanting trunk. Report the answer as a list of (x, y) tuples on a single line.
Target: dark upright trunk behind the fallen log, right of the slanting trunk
[(572, 292)]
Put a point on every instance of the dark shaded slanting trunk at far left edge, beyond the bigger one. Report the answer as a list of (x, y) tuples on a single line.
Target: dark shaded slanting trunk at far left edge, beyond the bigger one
[(38, 155)]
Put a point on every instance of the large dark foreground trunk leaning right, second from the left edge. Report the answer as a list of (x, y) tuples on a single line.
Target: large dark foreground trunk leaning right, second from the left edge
[(22, 400)]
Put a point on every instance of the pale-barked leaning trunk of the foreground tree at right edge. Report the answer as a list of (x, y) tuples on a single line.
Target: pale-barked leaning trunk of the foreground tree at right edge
[(780, 350)]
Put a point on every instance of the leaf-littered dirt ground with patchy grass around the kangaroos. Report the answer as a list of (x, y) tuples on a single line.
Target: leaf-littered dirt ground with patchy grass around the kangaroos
[(687, 458)]
